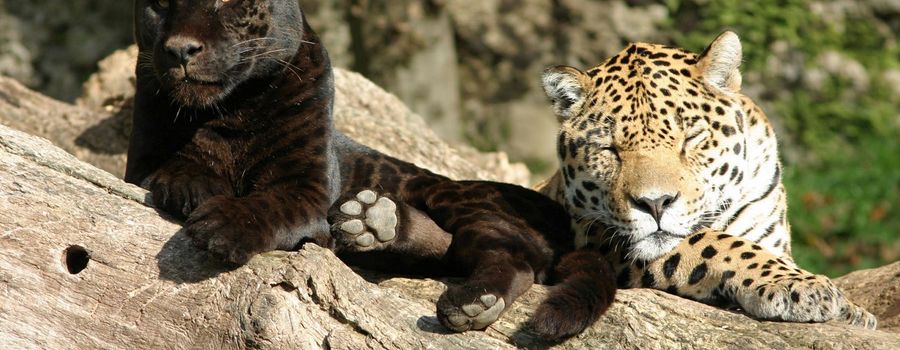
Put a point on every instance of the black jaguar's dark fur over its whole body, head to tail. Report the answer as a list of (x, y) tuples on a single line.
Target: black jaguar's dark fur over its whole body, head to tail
[(233, 133)]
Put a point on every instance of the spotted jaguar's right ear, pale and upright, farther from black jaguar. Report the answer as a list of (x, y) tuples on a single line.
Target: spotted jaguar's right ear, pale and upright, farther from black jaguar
[(720, 61)]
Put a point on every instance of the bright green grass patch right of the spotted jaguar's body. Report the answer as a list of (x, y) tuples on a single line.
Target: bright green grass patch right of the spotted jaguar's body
[(843, 210)]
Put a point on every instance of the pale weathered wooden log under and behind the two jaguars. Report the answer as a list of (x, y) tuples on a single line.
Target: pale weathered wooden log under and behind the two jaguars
[(85, 264)]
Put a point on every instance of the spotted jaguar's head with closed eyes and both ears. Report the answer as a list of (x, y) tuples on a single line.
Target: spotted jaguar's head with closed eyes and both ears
[(652, 143)]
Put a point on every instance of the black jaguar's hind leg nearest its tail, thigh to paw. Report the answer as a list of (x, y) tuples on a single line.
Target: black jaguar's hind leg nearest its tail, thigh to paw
[(503, 241)]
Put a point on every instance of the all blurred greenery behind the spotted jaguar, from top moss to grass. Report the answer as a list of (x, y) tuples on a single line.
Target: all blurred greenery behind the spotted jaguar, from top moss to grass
[(843, 191)]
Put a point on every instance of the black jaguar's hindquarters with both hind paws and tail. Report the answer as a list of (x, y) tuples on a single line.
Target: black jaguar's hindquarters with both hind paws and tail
[(504, 238)]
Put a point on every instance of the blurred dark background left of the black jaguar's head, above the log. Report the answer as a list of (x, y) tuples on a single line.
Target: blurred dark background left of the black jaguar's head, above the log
[(55, 45)]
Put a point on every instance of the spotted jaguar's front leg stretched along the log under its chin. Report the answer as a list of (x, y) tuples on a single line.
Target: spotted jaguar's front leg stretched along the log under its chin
[(713, 267)]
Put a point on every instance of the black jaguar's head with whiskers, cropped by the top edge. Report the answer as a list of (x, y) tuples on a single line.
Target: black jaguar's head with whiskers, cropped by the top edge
[(200, 50)]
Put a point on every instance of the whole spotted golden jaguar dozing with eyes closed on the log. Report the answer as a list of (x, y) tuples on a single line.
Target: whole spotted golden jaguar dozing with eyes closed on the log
[(674, 174)]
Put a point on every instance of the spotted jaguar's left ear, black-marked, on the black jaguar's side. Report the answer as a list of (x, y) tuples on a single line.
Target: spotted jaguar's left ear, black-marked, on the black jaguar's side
[(565, 87)]
